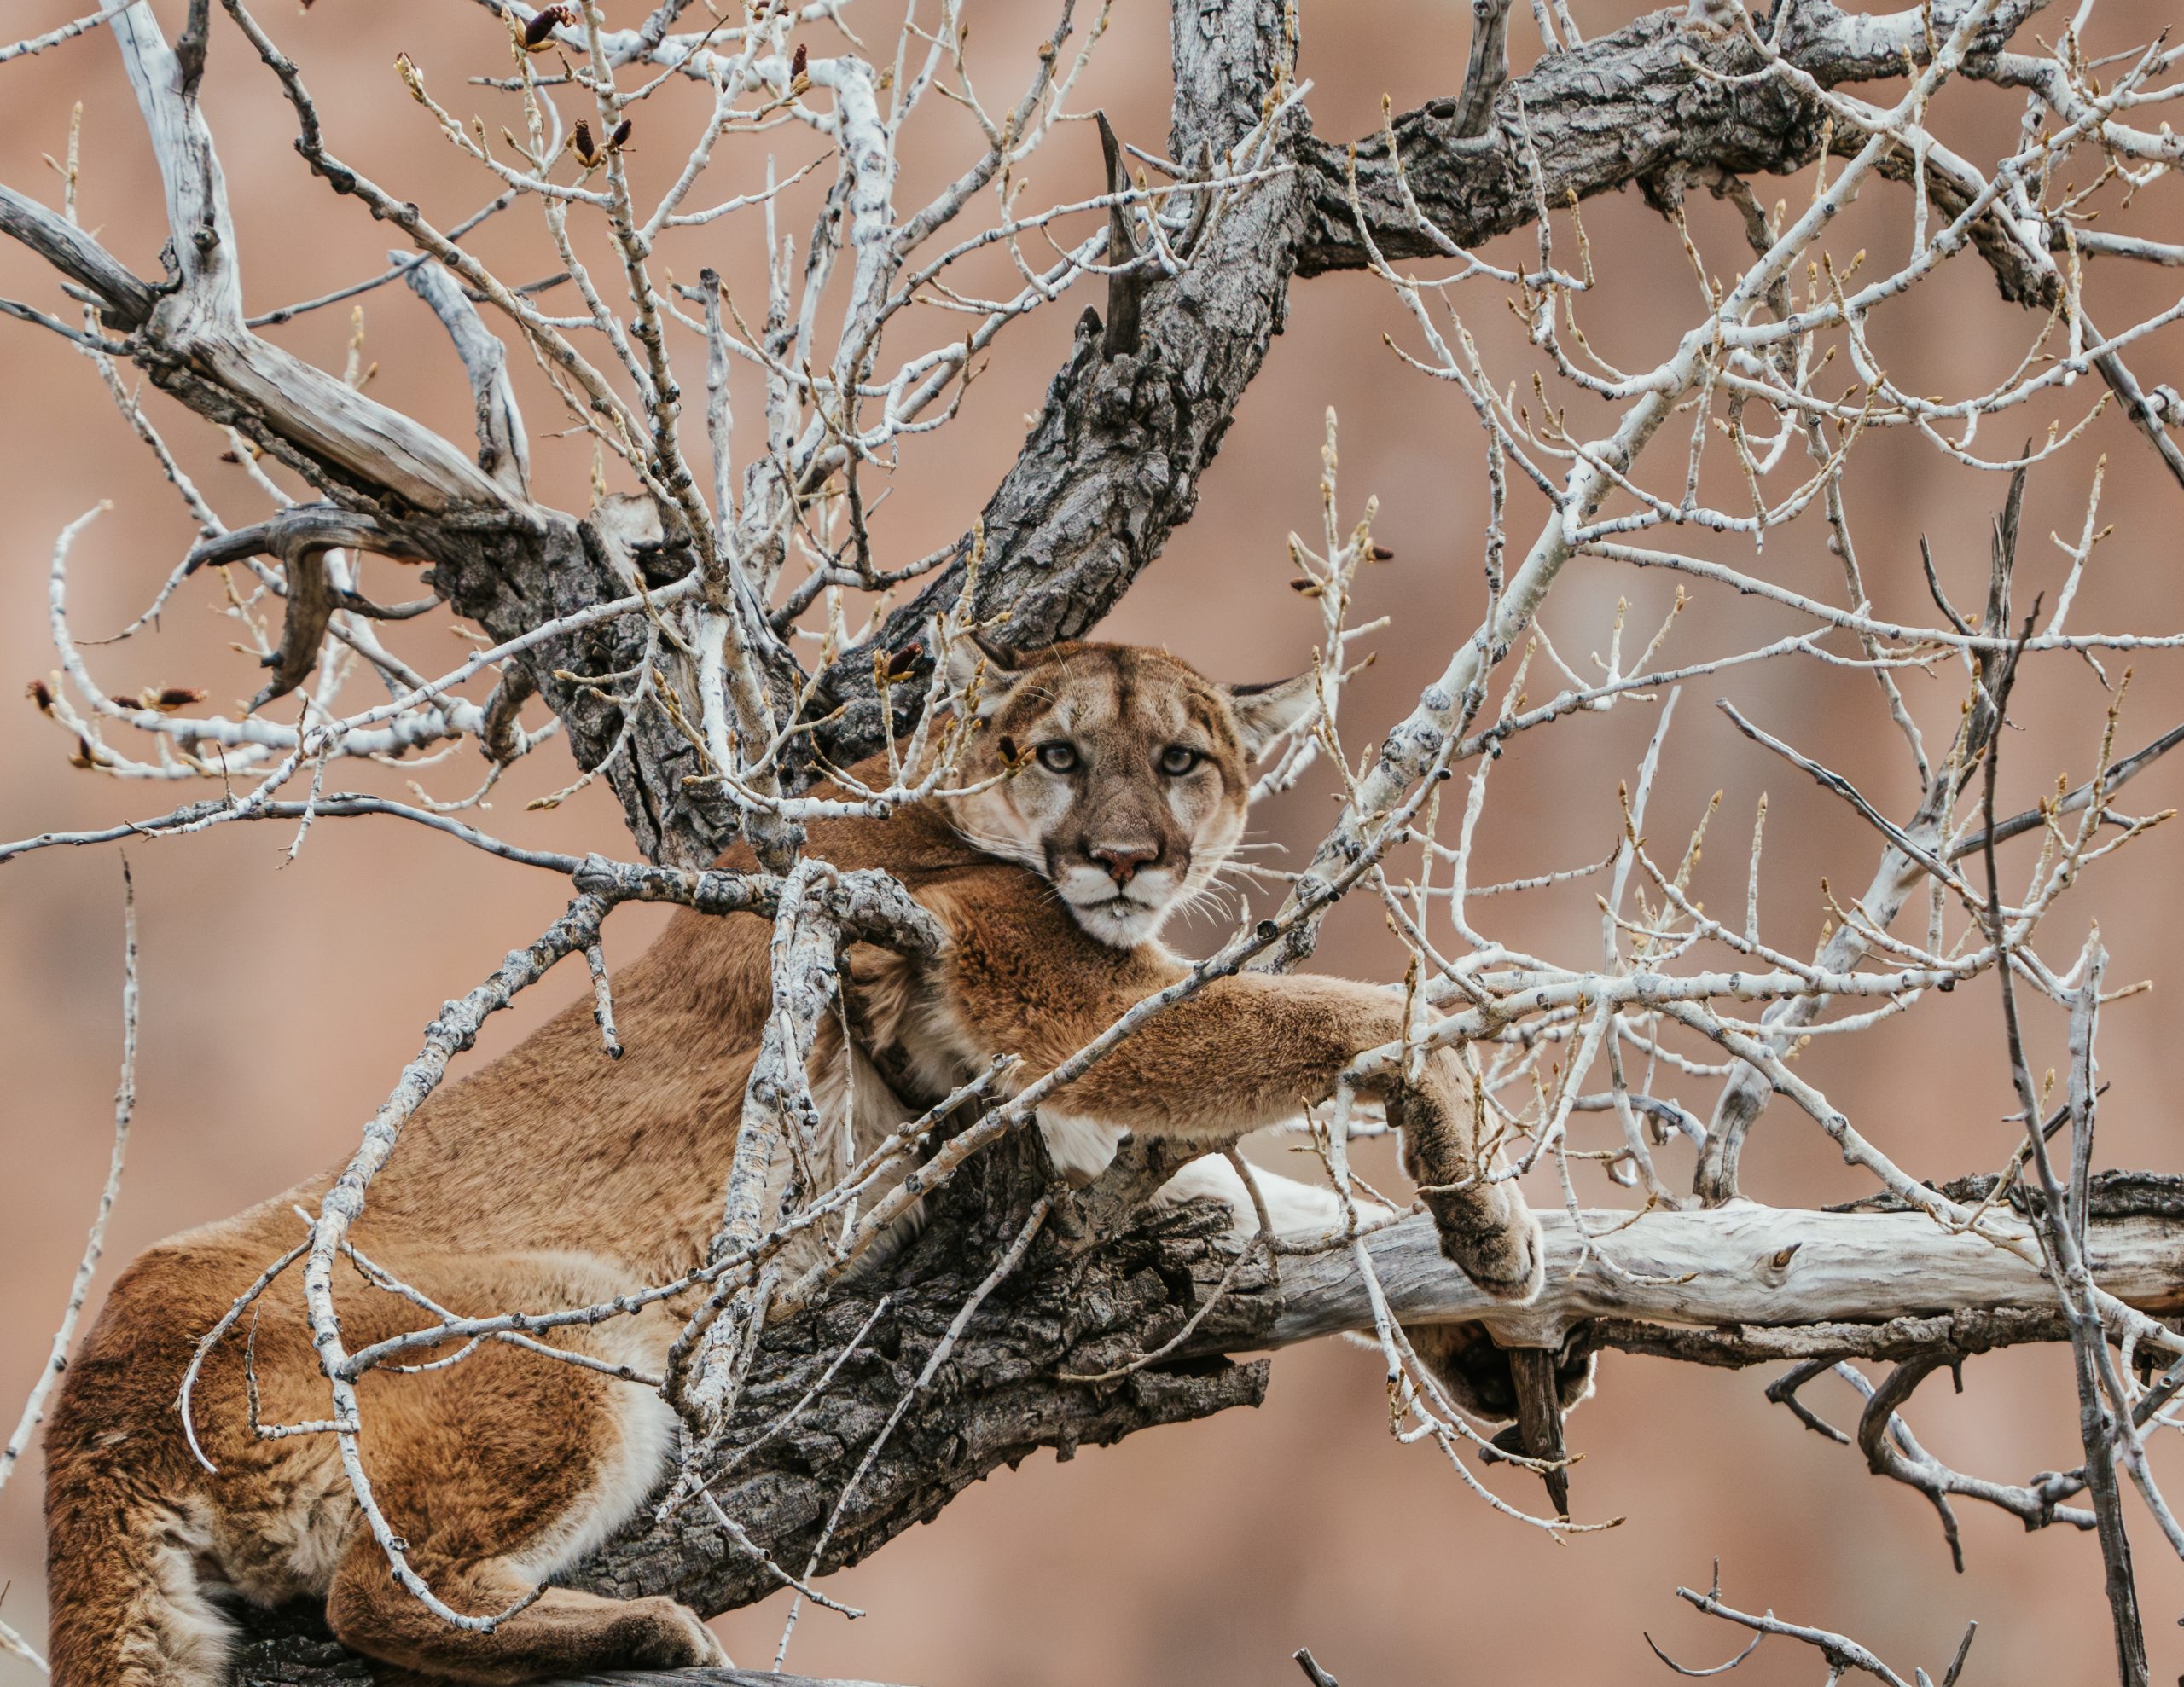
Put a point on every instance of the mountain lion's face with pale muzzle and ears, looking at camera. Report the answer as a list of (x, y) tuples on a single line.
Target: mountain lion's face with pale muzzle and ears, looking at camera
[(1130, 774)]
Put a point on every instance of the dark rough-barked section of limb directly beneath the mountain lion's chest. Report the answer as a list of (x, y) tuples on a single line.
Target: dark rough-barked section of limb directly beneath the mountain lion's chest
[(1078, 1304)]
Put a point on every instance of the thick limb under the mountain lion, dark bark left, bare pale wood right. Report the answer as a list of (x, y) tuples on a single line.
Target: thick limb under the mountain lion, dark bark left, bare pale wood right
[(1720, 1287)]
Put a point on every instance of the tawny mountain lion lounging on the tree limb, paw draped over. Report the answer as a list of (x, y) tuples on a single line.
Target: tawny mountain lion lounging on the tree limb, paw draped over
[(556, 1177)]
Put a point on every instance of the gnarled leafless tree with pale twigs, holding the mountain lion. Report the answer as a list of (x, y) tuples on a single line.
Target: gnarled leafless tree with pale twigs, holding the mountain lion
[(696, 641)]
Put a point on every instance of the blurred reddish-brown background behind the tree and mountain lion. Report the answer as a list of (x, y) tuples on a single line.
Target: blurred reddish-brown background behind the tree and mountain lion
[(278, 1003)]
